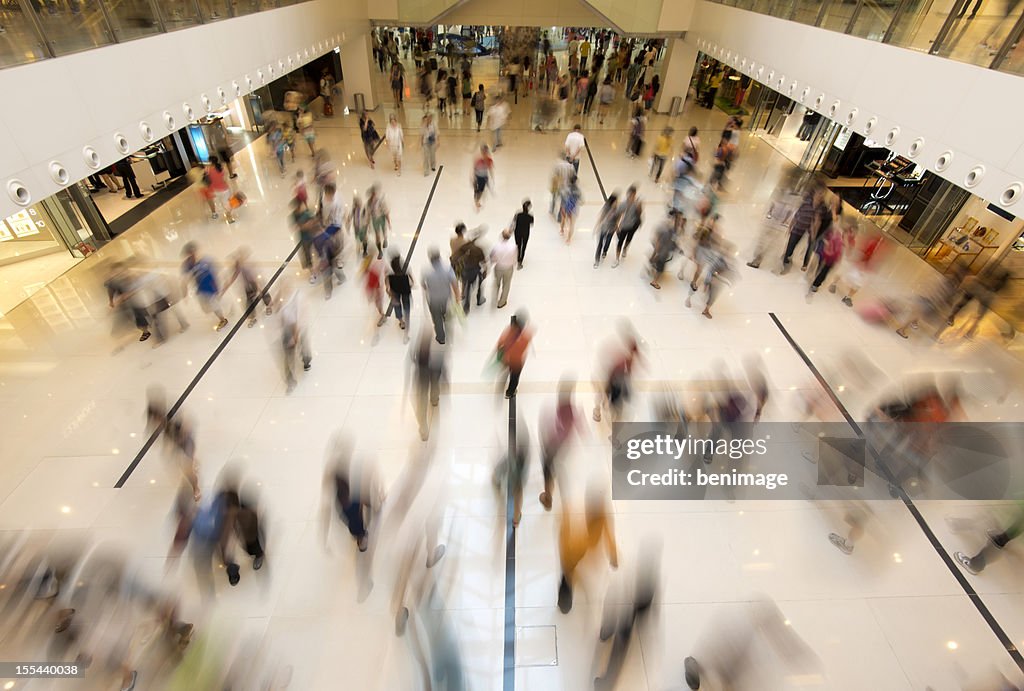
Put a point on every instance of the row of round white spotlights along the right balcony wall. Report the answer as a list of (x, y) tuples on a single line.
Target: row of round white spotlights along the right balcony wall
[(769, 77)]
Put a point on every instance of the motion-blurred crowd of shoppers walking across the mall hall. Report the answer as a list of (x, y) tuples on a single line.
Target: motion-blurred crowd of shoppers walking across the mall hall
[(687, 237)]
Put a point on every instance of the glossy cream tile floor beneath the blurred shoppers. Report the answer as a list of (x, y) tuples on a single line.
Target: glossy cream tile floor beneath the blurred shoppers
[(72, 395)]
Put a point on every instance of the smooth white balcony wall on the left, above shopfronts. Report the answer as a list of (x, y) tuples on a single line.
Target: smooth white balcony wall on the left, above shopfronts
[(88, 99)]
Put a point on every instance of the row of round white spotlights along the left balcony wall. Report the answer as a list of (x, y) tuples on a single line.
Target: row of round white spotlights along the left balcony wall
[(20, 194)]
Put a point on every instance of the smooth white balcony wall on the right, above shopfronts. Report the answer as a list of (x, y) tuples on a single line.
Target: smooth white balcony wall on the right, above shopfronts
[(950, 106)]
